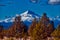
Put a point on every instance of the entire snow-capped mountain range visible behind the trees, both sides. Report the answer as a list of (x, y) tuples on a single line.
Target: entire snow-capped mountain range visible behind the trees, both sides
[(27, 17)]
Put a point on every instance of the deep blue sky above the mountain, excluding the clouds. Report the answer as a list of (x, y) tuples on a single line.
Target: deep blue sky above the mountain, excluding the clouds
[(13, 7)]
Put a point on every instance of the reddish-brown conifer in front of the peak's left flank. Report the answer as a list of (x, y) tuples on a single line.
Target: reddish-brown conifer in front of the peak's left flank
[(19, 27)]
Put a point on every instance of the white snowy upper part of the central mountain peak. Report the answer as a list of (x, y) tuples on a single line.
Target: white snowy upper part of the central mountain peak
[(29, 16)]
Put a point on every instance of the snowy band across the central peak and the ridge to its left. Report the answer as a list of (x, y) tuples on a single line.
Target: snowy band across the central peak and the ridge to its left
[(25, 16)]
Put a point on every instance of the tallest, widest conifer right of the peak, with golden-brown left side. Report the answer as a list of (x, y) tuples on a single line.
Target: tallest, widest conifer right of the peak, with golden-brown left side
[(42, 28)]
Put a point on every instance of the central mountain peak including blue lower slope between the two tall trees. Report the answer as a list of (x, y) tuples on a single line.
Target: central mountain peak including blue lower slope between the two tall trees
[(28, 16)]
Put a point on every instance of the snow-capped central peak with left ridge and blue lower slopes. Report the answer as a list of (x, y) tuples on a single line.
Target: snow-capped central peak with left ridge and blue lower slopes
[(27, 17)]
